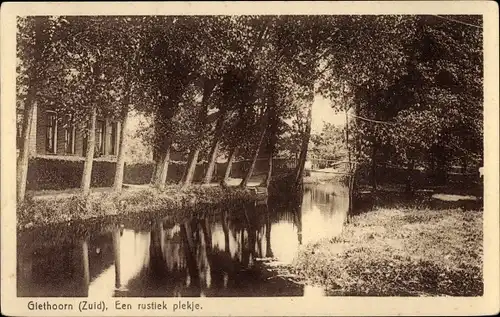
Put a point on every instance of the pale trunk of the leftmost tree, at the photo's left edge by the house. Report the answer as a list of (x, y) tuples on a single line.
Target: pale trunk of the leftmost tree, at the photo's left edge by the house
[(24, 152)]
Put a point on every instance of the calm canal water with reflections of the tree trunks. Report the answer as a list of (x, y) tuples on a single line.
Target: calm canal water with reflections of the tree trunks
[(227, 253)]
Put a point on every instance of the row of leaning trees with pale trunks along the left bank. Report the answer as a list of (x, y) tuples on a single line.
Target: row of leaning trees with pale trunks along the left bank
[(178, 70)]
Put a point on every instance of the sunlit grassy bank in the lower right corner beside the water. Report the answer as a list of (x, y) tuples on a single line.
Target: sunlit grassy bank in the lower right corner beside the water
[(400, 252)]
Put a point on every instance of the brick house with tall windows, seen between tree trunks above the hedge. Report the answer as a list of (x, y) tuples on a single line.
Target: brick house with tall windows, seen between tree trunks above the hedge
[(62, 136)]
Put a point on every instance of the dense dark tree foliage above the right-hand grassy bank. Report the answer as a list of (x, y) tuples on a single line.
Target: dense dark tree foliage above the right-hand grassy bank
[(421, 104)]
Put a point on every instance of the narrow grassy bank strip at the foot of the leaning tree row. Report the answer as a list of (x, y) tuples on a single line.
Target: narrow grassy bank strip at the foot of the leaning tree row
[(35, 213)]
